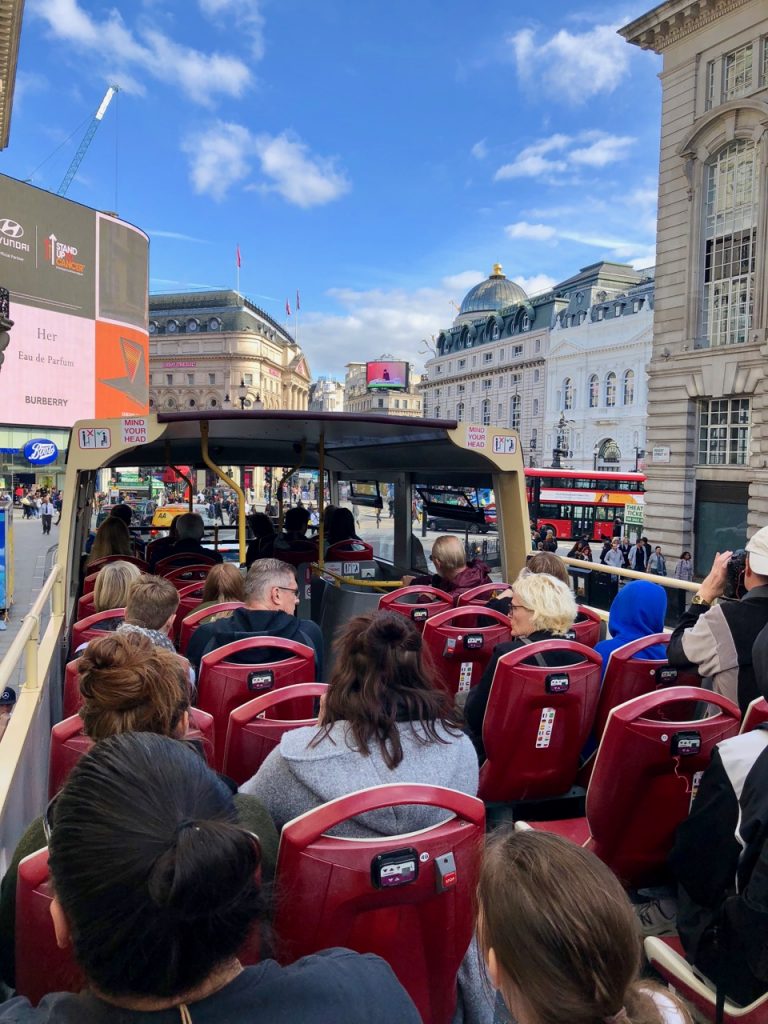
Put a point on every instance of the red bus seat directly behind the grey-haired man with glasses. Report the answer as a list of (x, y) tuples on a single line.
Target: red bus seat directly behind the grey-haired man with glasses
[(225, 686)]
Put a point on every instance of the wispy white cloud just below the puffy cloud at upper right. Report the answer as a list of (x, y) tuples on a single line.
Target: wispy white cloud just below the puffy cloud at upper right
[(550, 158)]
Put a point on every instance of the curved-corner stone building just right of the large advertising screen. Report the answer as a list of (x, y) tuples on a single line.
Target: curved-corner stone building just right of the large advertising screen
[(219, 351)]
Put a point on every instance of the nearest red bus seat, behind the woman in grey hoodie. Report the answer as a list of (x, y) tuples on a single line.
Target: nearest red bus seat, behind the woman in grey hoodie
[(407, 899)]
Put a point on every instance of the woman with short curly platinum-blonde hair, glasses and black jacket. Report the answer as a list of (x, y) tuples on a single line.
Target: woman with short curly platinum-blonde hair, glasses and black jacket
[(541, 609)]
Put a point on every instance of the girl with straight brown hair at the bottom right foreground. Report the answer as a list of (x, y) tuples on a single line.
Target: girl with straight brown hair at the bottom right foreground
[(561, 938)]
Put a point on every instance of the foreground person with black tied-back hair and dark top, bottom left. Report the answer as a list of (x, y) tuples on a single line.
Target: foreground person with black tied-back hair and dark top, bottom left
[(157, 892)]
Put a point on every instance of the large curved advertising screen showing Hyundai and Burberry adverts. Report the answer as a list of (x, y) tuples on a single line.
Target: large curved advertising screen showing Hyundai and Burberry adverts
[(78, 282)]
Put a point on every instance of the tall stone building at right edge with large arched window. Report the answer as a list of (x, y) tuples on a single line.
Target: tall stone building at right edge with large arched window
[(708, 423)]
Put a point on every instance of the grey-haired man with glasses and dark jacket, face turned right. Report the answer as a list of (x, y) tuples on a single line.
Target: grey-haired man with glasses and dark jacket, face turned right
[(272, 596)]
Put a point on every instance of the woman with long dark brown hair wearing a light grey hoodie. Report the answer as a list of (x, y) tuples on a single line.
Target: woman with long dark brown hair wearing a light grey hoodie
[(383, 721)]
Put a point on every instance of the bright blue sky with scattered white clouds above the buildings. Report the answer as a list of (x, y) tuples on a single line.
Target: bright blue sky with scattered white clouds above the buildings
[(377, 158)]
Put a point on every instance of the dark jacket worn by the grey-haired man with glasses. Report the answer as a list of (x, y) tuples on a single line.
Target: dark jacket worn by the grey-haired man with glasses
[(245, 623)]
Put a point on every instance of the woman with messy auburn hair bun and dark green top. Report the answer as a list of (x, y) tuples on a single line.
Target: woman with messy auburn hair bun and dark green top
[(127, 686)]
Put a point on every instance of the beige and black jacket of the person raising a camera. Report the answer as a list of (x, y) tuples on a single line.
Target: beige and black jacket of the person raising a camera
[(718, 644)]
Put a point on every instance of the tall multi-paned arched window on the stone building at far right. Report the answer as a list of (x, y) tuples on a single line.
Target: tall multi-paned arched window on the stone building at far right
[(731, 217)]
